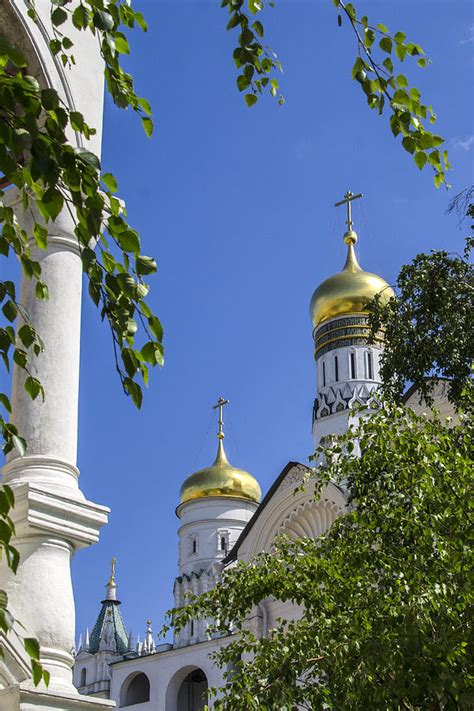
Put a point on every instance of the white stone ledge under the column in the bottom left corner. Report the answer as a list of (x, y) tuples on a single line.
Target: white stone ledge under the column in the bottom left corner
[(25, 697)]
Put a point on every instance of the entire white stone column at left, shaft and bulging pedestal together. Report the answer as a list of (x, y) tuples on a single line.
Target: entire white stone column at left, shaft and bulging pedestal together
[(52, 517)]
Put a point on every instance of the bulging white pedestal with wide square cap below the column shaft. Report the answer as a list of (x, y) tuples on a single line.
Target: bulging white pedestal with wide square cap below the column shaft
[(49, 528)]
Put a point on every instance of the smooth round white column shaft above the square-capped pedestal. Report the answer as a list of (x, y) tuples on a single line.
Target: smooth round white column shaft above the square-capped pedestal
[(50, 427)]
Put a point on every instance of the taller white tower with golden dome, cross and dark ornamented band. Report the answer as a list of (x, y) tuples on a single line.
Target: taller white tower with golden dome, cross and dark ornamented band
[(347, 366)]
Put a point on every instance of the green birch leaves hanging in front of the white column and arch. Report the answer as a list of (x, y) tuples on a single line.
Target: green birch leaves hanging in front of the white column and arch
[(50, 175)]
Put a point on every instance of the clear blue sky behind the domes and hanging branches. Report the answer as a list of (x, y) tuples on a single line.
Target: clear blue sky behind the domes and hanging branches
[(237, 206)]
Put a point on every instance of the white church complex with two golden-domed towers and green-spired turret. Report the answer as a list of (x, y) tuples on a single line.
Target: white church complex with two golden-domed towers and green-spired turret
[(222, 517)]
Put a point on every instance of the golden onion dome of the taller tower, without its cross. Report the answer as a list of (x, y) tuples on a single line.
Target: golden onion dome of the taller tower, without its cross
[(348, 291)]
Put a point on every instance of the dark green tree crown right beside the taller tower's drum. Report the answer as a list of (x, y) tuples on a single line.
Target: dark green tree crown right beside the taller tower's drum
[(429, 325)]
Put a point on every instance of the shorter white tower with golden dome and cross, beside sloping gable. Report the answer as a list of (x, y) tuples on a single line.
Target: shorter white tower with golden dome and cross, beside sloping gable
[(215, 505)]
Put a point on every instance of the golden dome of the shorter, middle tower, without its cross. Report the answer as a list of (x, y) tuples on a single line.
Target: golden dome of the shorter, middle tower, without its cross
[(221, 479)]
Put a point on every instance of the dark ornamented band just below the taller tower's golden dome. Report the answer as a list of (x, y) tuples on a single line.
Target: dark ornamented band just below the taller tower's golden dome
[(346, 331)]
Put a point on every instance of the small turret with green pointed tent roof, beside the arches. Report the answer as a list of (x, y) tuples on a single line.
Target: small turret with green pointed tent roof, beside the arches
[(107, 643)]
